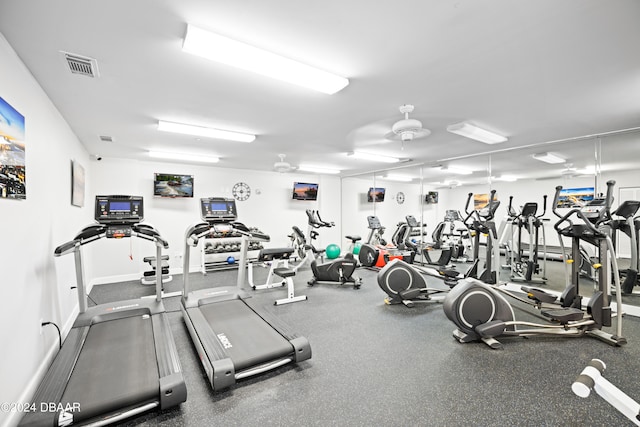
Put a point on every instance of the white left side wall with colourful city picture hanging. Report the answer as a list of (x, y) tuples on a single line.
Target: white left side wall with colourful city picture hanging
[(35, 286)]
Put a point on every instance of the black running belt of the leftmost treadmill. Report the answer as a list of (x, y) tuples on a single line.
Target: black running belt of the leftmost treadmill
[(116, 368)]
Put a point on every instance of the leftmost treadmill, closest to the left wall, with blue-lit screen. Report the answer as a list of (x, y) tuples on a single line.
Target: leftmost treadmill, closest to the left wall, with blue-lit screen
[(119, 359)]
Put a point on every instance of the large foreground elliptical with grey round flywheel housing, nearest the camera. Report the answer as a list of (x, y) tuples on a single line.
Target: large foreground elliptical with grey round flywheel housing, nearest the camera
[(482, 313)]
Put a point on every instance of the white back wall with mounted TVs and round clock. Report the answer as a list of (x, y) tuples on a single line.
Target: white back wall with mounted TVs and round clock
[(269, 208)]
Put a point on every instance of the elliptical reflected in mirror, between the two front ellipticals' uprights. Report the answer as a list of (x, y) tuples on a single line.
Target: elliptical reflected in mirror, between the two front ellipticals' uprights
[(523, 268)]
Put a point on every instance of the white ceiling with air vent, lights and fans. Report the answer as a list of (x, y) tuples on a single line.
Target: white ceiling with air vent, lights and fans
[(535, 71)]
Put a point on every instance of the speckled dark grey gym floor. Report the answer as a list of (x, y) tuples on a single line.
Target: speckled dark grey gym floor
[(375, 364)]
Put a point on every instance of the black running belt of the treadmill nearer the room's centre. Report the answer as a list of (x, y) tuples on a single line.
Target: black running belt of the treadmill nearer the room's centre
[(247, 338)]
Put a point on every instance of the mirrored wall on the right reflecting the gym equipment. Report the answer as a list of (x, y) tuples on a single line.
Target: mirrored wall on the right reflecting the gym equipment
[(427, 191)]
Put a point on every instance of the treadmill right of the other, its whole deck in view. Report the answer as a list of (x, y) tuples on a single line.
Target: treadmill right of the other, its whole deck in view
[(234, 340)]
